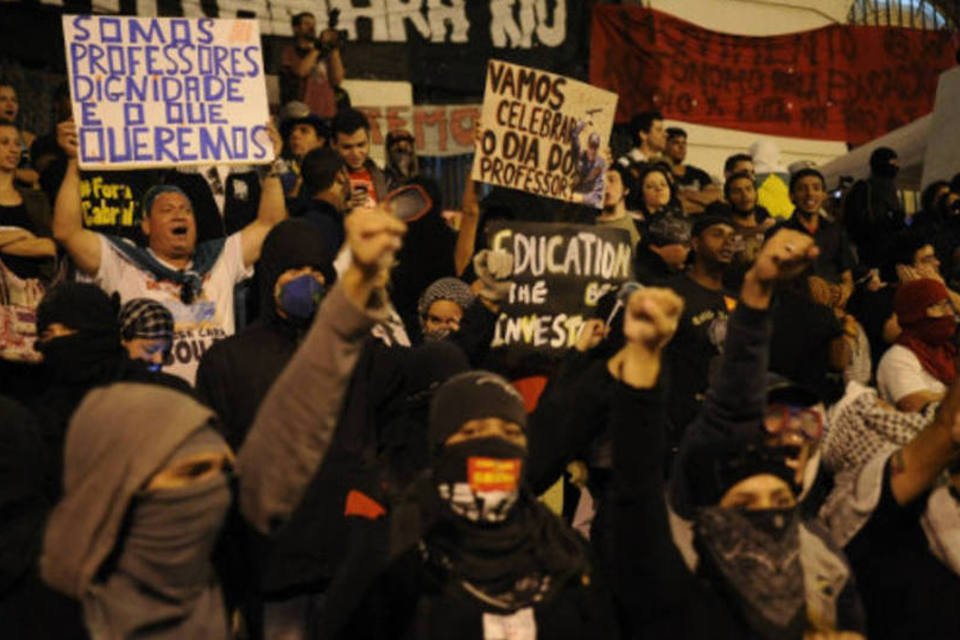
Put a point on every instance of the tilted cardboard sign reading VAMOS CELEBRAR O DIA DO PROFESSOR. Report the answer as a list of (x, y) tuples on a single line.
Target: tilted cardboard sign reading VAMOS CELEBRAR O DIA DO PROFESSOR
[(544, 134)]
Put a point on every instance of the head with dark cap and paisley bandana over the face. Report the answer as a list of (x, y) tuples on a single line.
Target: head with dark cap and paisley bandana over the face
[(748, 542)]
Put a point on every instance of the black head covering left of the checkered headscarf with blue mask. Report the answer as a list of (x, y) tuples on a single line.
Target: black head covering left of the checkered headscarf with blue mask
[(94, 351)]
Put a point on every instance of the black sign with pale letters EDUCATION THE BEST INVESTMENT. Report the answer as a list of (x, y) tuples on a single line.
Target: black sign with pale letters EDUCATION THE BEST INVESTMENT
[(559, 273)]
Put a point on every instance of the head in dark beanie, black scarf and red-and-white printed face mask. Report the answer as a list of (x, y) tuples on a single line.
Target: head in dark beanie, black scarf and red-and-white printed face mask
[(493, 539)]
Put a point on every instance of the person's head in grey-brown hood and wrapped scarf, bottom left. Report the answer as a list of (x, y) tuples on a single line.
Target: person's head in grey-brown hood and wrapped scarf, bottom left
[(133, 535)]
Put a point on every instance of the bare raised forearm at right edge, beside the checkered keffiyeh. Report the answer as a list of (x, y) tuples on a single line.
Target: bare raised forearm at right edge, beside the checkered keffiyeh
[(915, 467)]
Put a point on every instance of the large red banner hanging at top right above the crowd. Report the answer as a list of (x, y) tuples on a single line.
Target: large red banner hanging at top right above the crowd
[(835, 83)]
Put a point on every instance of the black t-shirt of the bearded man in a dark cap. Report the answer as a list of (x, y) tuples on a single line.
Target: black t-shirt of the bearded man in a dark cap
[(694, 349)]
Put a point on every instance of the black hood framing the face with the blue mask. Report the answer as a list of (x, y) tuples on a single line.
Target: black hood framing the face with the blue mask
[(293, 244)]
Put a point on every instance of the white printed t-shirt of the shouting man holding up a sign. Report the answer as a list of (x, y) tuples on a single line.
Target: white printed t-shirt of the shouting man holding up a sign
[(196, 326)]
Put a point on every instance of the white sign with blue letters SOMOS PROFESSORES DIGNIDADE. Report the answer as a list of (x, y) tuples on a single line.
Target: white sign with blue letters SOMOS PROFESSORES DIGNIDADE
[(155, 92)]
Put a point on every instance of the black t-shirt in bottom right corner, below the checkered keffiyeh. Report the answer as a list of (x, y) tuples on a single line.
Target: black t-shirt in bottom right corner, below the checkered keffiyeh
[(906, 591)]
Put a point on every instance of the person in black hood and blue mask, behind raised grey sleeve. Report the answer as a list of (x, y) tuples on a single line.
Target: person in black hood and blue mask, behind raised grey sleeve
[(236, 373)]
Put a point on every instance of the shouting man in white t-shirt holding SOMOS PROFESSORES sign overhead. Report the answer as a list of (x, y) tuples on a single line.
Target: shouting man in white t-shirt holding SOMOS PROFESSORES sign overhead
[(195, 281)]
